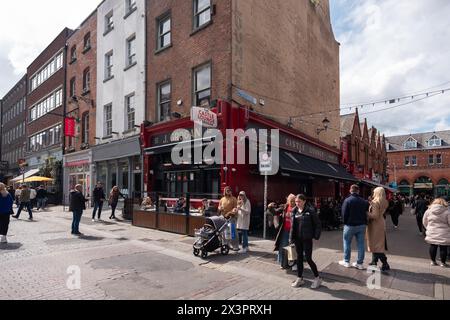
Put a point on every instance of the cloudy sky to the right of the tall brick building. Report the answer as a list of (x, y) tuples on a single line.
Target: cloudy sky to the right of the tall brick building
[(395, 48)]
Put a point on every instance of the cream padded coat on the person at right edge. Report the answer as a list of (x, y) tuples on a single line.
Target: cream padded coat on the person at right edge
[(437, 224)]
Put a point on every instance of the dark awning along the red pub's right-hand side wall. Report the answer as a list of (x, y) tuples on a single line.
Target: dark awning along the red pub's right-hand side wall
[(295, 162)]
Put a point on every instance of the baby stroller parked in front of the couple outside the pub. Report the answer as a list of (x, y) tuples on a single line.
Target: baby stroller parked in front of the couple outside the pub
[(215, 234)]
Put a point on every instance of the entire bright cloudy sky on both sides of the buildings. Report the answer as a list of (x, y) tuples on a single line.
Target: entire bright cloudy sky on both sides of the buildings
[(389, 49)]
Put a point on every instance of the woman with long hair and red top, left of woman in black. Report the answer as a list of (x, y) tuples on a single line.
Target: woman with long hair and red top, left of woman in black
[(284, 225)]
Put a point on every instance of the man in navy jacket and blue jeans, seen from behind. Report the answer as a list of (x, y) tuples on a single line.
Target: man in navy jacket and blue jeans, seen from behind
[(354, 213)]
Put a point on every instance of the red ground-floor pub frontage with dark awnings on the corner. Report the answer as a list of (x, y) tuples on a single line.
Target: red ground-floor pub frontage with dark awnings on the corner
[(306, 166)]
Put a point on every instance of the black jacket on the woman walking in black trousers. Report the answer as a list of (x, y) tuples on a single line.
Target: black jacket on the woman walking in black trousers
[(305, 225)]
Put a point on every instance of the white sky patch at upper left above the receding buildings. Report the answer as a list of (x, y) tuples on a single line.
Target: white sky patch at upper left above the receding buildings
[(29, 26)]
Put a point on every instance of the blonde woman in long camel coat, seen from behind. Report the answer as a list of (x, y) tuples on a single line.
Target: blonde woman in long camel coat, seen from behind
[(376, 230)]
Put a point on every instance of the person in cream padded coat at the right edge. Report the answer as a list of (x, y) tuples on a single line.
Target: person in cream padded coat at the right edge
[(437, 223)]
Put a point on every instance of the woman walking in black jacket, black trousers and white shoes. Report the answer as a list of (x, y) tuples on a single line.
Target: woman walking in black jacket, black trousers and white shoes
[(305, 227)]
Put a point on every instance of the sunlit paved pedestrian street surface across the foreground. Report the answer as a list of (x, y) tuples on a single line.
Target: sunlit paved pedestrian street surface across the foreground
[(118, 261)]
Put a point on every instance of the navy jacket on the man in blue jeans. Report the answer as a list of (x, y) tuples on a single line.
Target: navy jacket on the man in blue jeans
[(354, 210)]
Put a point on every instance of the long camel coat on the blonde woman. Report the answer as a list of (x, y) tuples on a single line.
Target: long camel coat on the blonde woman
[(376, 229)]
